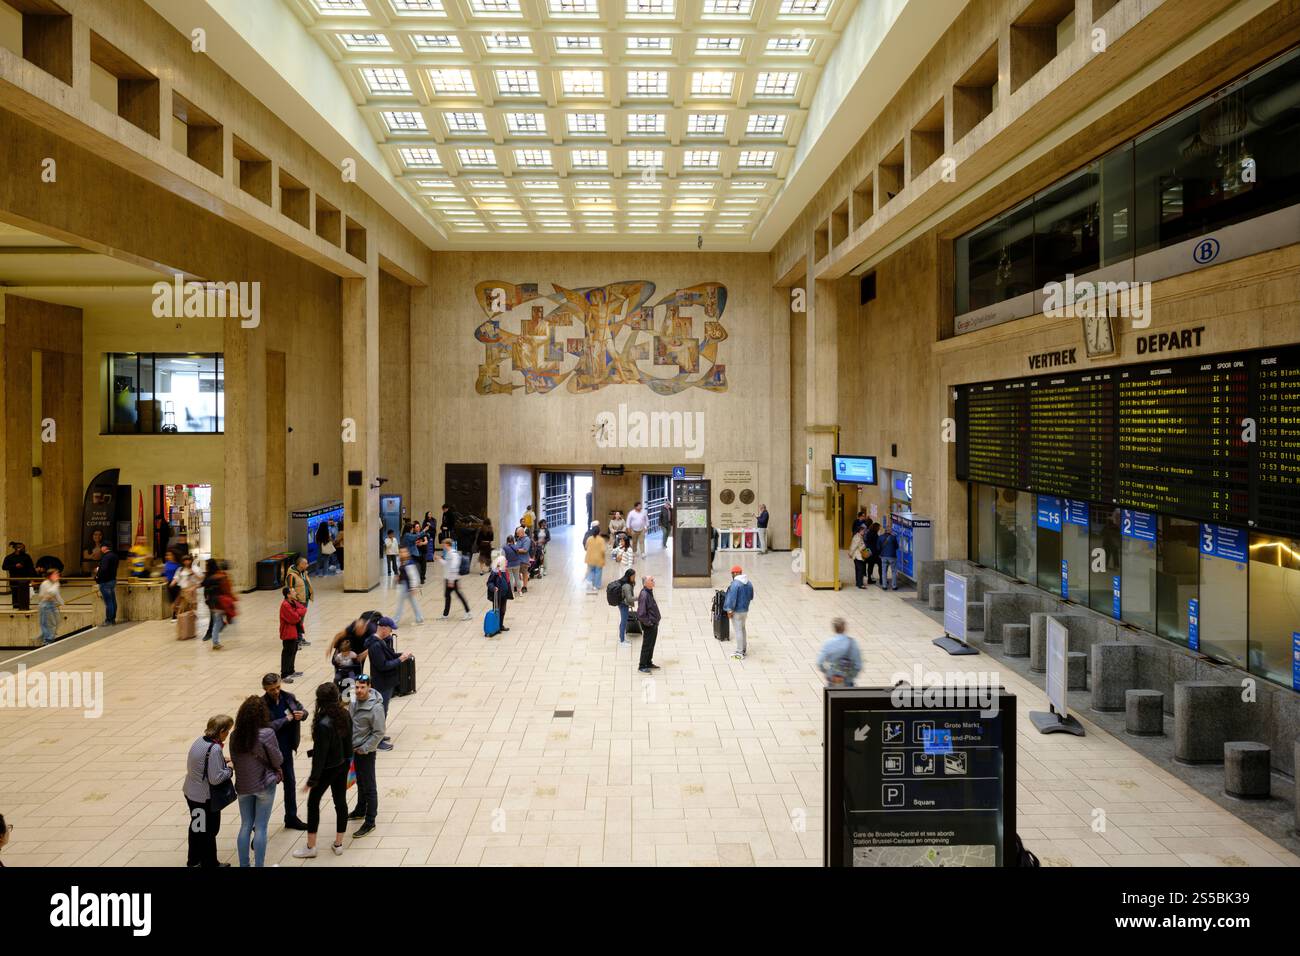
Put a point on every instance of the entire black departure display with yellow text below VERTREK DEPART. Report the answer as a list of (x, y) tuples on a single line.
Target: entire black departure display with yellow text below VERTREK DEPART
[(1214, 439)]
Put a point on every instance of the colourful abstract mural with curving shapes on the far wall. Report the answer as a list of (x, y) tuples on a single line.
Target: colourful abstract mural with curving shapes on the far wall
[(588, 339)]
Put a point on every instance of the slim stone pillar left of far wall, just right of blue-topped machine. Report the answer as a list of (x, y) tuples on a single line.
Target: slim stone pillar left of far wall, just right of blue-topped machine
[(361, 326)]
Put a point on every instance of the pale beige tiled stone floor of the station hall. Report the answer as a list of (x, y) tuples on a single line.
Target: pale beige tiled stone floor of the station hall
[(712, 763)]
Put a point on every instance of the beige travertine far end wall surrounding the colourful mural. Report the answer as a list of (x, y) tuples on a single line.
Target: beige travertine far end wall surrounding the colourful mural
[(558, 429)]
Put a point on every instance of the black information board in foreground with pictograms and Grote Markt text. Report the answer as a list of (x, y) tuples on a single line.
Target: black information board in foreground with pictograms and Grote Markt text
[(920, 777)]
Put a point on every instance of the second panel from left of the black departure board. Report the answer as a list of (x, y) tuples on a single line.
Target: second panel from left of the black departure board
[(1072, 436)]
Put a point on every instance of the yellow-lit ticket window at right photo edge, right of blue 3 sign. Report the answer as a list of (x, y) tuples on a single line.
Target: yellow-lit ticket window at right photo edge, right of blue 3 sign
[(1275, 607)]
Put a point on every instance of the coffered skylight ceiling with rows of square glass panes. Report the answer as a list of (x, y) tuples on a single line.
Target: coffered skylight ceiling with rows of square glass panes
[(584, 118)]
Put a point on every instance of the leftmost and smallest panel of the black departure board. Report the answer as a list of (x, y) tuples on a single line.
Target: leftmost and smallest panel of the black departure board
[(996, 434)]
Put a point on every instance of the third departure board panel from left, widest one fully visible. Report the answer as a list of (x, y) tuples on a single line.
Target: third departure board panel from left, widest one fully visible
[(1181, 449)]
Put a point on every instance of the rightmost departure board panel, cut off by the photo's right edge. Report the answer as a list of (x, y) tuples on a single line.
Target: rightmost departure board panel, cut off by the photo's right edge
[(1276, 477)]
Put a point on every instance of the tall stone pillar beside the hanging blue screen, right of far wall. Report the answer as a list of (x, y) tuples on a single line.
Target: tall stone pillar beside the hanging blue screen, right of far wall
[(821, 534)]
